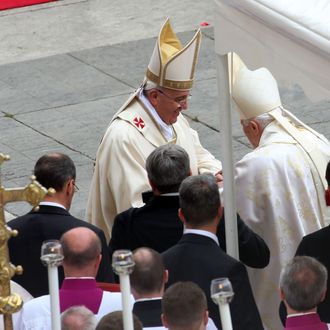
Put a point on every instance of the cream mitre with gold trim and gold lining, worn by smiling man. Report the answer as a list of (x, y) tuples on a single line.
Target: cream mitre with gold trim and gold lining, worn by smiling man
[(171, 65)]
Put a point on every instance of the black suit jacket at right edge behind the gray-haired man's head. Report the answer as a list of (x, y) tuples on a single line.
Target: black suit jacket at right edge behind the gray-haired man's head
[(316, 245)]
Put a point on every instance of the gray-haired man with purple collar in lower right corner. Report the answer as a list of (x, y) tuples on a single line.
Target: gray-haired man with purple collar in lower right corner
[(303, 285)]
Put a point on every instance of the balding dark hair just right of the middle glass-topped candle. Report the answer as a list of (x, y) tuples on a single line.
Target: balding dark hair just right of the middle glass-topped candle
[(148, 274)]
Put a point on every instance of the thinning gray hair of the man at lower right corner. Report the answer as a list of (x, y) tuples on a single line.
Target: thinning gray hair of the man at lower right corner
[(303, 282)]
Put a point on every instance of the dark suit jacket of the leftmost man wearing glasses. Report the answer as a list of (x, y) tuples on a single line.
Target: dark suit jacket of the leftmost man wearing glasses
[(49, 222)]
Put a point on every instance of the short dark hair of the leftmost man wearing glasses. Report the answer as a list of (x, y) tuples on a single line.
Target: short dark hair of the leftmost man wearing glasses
[(53, 170)]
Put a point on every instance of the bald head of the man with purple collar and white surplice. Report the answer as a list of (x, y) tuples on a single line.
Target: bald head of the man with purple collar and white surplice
[(81, 246)]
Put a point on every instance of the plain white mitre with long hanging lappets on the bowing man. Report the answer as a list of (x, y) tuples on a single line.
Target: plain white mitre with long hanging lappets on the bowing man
[(256, 92)]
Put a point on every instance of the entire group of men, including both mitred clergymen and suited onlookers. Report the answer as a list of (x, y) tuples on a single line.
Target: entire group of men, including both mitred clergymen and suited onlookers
[(156, 191)]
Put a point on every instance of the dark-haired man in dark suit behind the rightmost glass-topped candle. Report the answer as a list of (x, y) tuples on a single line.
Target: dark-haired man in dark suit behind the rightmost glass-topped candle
[(197, 257)]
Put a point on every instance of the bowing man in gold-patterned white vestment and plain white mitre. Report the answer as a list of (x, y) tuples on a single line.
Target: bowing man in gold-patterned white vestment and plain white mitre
[(280, 184)]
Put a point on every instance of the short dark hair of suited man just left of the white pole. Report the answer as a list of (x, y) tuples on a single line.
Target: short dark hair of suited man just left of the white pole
[(199, 199)]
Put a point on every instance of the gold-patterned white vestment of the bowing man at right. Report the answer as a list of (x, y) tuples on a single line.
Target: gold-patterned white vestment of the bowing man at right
[(280, 196)]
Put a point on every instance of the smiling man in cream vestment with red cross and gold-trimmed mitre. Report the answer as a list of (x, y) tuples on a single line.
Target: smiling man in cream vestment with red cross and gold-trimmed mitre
[(151, 117)]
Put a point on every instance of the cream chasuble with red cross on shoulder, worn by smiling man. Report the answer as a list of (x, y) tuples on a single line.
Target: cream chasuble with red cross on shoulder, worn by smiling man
[(119, 175)]
